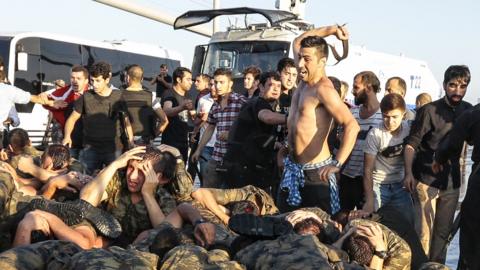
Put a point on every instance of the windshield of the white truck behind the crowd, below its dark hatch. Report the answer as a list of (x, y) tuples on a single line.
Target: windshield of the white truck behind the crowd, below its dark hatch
[(239, 55)]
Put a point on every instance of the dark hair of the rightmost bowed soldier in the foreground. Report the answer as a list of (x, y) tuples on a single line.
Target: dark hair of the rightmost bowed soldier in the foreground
[(359, 249)]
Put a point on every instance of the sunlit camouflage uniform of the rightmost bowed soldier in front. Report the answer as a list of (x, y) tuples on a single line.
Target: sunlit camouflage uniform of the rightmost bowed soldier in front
[(399, 255)]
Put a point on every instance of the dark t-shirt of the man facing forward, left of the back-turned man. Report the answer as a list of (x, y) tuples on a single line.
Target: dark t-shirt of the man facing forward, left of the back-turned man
[(100, 115)]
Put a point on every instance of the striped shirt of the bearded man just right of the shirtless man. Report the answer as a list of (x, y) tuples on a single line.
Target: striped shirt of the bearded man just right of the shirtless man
[(354, 165)]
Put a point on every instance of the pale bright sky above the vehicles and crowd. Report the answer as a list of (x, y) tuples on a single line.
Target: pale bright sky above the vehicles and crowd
[(439, 32)]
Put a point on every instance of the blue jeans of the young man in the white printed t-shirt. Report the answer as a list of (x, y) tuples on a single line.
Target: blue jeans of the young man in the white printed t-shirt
[(396, 196)]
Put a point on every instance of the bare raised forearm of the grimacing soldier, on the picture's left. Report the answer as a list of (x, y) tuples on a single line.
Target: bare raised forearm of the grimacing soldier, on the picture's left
[(94, 192)]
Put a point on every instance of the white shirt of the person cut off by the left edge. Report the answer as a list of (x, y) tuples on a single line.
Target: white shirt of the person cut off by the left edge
[(9, 96)]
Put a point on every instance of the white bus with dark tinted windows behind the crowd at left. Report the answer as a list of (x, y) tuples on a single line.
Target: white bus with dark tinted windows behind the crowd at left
[(34, 60)]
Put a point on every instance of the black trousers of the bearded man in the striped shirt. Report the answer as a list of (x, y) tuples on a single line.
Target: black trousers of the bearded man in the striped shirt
[(351, 192)]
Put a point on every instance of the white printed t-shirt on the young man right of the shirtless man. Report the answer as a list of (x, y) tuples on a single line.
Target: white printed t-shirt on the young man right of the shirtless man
[(388, 149)]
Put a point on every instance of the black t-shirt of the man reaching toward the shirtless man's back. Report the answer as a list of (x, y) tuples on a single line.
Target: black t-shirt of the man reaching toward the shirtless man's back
[(249, 137)]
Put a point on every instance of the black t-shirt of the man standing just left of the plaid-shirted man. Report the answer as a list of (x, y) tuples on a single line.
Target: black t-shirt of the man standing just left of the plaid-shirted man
[(176, 132)]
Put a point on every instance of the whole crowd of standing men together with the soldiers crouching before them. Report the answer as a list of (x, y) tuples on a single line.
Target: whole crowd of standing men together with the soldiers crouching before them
[(283, 174)]
